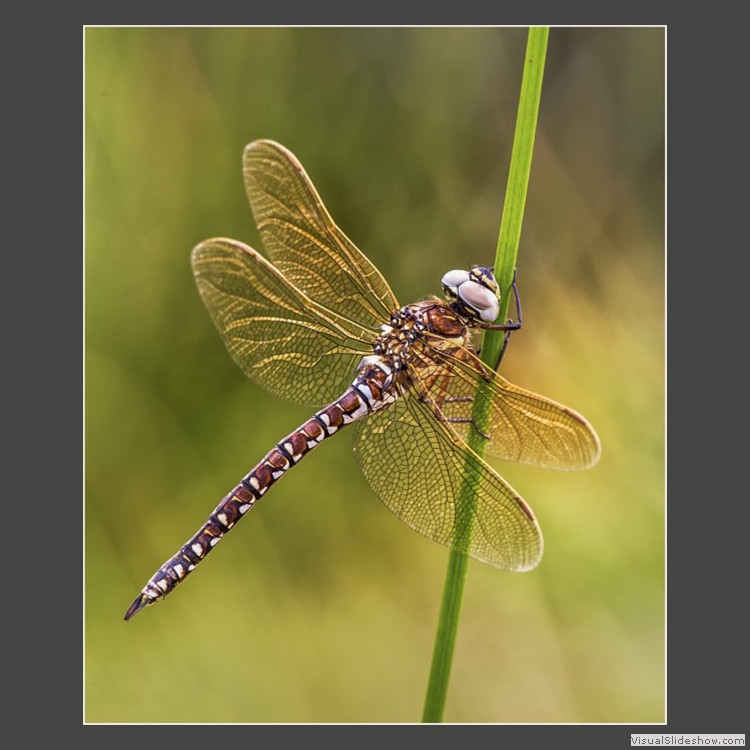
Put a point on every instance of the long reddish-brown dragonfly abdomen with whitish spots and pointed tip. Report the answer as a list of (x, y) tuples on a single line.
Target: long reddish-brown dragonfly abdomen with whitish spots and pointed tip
[(366, 394)]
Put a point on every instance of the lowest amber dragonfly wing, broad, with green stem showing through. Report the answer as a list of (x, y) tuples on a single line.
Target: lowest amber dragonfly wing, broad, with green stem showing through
[(425, 474)]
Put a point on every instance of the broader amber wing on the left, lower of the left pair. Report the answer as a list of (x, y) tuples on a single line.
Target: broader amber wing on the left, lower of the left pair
[(280, 338)]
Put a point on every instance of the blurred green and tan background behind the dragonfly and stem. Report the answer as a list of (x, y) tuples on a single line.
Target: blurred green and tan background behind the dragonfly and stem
[(322, 607)]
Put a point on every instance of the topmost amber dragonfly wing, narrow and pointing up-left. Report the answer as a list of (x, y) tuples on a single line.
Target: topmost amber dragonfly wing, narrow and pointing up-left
[(305, 244)]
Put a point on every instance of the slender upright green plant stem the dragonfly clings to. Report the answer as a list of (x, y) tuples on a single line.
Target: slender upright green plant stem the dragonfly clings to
[(505, 264)]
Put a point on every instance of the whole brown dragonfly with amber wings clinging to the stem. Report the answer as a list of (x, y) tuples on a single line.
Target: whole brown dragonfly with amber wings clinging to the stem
[(317, 323)]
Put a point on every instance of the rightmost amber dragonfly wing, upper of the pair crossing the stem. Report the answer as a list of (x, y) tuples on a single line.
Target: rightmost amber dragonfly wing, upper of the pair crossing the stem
[(524, 427)]
